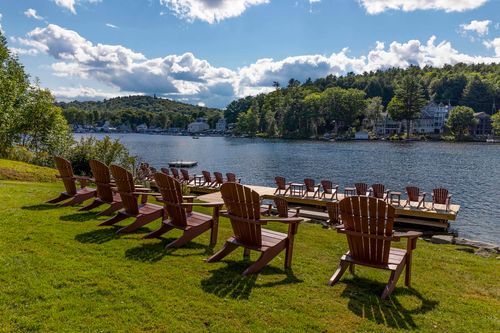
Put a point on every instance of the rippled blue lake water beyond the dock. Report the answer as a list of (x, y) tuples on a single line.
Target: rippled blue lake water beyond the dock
[(471, 171)]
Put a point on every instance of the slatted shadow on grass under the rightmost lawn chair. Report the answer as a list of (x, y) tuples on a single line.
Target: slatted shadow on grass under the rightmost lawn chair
[(364, 301)]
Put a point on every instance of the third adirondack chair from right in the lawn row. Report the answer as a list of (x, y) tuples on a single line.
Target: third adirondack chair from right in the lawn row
[(191, 223)]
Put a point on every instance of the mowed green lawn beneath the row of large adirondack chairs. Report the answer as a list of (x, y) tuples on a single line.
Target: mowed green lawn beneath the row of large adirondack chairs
[(59, 271)]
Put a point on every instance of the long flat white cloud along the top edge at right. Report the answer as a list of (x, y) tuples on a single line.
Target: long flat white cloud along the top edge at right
[(379, 6)]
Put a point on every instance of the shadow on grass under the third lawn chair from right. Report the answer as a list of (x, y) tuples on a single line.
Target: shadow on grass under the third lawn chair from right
[(153, 252)]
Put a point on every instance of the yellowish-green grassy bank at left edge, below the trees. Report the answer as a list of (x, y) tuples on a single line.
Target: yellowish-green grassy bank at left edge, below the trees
[(13, 170)]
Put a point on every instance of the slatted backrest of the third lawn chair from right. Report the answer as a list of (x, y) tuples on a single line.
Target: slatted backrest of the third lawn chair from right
[(171, 192)]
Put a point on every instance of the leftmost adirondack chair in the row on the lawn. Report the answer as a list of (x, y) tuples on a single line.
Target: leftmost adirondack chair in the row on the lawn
[(69, 180)]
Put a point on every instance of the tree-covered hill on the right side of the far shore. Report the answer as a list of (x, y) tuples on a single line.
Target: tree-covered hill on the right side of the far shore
[(339, 103)]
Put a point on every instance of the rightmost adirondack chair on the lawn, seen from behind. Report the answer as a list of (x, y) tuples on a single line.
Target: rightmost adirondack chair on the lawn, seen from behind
[(368, 223)]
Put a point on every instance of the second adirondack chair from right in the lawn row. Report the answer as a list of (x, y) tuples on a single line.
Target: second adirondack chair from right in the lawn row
[(243, 209)]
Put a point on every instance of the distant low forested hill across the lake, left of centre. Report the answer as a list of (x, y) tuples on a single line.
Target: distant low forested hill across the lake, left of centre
[(135, 110)]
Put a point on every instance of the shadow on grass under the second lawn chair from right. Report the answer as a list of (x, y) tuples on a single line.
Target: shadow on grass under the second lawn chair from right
[(229, 282)]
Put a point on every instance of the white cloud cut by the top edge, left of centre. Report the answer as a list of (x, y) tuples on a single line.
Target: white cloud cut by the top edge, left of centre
[(210, 11)]
